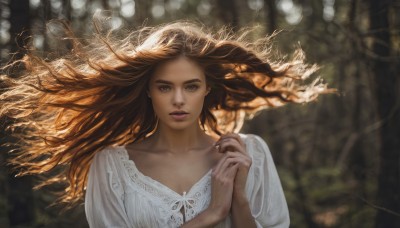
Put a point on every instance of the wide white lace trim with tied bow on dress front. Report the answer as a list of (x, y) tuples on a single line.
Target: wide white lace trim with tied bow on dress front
[(193, 202)]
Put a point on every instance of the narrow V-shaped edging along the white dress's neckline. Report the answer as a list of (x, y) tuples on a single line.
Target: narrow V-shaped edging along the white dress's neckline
[(159, 184)]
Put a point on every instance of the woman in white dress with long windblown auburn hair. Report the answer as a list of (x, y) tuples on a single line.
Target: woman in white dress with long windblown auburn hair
[(141, 125)]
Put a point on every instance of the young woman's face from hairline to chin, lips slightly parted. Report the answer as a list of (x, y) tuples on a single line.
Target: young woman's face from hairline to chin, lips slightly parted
[(177, 90)]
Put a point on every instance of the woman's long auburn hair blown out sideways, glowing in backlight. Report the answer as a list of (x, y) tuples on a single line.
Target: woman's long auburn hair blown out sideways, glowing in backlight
[(66, 109)]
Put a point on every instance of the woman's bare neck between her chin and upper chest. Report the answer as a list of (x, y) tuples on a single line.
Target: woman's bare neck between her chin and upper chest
[(180, 141)]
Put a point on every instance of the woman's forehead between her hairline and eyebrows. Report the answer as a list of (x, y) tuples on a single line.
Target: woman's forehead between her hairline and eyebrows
[(178, 70)]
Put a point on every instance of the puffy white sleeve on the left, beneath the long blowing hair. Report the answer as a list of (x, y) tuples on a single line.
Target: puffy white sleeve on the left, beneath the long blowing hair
[(104, 204)]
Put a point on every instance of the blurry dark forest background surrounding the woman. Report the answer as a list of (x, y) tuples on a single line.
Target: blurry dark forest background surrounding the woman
[(338, 158)]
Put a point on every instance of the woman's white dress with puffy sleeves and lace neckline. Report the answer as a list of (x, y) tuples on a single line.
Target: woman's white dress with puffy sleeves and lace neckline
[(119, 195)]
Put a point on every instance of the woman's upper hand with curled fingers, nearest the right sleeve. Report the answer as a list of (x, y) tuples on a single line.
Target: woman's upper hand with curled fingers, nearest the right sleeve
[(234, 148)]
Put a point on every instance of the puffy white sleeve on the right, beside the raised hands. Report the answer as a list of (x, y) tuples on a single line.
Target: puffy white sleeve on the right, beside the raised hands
[(263, 188)]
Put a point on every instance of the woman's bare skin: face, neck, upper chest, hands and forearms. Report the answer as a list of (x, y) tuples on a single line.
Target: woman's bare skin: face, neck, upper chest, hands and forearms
[(179, 153)]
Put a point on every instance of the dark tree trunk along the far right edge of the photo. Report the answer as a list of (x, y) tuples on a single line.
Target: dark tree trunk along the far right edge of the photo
[(387, 92)]
